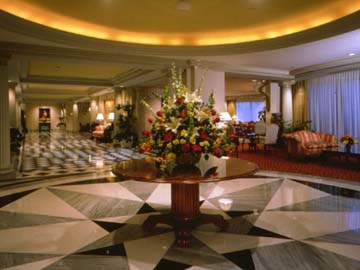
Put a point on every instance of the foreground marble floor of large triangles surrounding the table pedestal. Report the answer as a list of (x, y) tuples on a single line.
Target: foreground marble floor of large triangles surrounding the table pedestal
[(276, 222)]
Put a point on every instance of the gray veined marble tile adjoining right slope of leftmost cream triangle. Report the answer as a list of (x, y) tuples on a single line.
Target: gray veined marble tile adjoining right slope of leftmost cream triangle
[(94, 206)]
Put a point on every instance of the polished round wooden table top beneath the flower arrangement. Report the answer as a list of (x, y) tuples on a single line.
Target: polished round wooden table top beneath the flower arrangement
[(211, 170)]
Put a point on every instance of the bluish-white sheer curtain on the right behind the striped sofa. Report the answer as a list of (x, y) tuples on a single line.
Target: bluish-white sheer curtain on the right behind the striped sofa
[(334, 103)]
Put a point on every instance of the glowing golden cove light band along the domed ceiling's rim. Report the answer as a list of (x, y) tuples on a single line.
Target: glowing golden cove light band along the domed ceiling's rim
[(53, 19)]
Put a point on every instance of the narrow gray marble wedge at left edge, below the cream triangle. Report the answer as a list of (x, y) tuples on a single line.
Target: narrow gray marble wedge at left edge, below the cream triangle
[(16, 220)]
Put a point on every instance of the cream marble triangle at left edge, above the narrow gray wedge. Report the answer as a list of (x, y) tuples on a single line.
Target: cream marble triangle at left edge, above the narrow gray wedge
[(43, 202)]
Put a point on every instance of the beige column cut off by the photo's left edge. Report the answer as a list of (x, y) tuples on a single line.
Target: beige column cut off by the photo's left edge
[(5, 163)]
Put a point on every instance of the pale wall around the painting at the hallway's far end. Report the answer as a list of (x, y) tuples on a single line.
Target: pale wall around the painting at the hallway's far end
[(32, 115)]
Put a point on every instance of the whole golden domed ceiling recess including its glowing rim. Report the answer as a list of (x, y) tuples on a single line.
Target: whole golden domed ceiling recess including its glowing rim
[(182, 22)]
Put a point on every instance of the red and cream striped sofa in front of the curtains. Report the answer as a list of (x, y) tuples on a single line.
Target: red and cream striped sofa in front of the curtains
[(307, 143)]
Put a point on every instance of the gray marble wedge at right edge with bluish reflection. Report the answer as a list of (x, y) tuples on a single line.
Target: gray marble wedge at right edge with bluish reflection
[(325, 204)]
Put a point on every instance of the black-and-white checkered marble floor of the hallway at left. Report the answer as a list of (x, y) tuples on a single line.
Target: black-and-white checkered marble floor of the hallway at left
[(59, 153)]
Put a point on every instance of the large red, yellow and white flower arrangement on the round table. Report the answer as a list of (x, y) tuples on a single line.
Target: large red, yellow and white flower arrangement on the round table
[(185, 125)]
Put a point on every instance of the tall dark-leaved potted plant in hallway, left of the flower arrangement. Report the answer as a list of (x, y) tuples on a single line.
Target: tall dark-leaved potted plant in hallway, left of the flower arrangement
[(126, 134)]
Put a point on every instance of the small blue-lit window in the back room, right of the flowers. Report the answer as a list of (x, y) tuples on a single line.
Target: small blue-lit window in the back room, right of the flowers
[(247, 111)]
